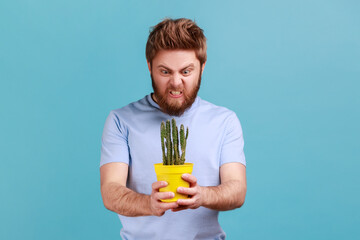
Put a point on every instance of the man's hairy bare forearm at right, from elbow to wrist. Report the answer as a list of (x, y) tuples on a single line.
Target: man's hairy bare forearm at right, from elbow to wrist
[(226, 196)]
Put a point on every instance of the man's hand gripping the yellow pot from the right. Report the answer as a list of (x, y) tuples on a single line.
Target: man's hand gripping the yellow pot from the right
[(195, 191)]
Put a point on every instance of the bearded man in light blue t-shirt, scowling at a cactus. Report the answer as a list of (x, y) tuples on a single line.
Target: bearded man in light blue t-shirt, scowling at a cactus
[(176, 57)]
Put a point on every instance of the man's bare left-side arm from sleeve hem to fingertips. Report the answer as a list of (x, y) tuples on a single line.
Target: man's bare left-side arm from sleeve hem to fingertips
[(124, 201)]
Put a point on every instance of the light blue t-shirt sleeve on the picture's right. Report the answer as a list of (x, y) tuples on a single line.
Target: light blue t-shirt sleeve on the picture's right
[(233, 144)]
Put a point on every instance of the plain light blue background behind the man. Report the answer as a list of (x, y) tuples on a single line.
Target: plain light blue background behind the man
[(289, 69)]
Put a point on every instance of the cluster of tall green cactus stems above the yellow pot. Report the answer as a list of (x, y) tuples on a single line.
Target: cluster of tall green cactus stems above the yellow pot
[(172, 154)]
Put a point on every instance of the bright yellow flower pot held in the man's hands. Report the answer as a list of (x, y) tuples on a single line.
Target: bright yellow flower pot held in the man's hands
[(172, 175)]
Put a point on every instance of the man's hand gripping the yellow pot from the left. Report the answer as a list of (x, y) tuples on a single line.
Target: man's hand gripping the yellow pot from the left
[(157, 207)]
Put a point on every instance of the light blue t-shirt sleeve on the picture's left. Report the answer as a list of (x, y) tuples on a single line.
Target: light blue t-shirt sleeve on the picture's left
[(114, 144)]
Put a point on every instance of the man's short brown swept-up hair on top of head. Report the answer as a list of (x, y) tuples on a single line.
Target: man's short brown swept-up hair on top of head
[(171, 34)]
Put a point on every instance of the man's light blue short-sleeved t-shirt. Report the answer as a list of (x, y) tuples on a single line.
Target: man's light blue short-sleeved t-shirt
[(132, 135)]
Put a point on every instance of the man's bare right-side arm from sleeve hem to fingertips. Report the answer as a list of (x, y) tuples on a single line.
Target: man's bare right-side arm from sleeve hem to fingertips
[(230, 194)]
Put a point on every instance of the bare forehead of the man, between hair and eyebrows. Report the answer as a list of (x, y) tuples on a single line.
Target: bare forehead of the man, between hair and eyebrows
[(175, 59)]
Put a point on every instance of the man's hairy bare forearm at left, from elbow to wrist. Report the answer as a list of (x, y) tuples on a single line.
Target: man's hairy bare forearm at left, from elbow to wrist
[(124, 201)]
